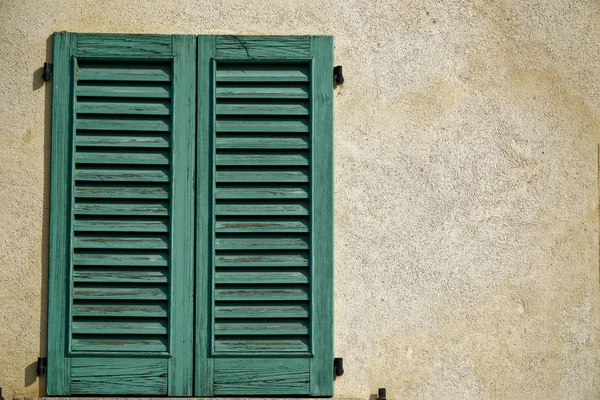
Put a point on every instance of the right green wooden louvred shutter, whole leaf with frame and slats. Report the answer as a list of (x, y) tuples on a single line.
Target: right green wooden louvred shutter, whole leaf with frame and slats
[(265, 216)]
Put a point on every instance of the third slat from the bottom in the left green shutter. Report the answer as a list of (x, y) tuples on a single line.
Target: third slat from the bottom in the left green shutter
[(119, 310)]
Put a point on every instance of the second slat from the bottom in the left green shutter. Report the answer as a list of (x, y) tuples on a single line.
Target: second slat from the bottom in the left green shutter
[(103, 327)]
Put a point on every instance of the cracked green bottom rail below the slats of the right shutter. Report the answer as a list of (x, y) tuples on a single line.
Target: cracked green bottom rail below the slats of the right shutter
[(263, 376)]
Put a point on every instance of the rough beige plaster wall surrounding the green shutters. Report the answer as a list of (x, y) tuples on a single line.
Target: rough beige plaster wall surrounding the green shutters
[(467, 137)]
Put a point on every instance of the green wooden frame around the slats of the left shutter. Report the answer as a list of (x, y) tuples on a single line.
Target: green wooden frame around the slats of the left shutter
[(139, 370)]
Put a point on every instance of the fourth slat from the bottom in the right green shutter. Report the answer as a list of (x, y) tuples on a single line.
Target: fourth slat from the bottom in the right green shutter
[(241, 293)]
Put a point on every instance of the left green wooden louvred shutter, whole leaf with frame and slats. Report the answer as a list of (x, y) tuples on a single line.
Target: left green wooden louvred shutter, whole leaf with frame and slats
[(121, 222)]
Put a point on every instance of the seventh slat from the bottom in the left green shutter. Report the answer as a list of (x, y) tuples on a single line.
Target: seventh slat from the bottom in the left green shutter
[(120, 242)]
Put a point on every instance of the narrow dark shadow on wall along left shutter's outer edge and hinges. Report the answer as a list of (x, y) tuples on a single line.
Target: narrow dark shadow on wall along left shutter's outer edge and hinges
[(38, 83)]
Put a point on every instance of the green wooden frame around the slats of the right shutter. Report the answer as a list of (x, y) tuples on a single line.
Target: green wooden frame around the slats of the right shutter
[(318, 52)]
